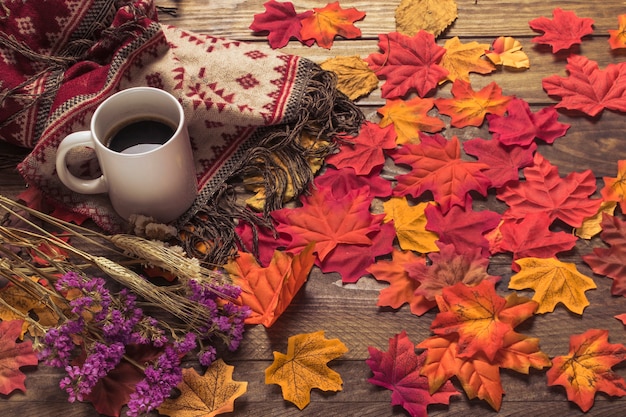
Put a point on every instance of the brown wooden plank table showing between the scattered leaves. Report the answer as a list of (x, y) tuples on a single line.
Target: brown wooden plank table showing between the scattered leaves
[(349, 312)]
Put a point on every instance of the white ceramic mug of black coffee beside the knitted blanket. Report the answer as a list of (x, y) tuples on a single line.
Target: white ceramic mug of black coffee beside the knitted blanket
[(156, 180)]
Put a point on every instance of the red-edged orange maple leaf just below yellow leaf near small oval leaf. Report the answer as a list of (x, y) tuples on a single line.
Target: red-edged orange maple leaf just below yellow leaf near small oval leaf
[(469, 107)]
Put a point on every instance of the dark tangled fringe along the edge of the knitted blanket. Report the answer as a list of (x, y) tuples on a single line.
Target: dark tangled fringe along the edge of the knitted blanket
[(277, 157)]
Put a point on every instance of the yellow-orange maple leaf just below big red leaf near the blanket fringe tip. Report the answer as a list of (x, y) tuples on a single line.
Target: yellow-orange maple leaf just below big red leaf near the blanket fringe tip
[(409, 117)]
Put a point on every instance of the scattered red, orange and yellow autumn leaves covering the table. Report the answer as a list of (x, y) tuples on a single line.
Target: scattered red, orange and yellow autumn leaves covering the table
[(398, 202)]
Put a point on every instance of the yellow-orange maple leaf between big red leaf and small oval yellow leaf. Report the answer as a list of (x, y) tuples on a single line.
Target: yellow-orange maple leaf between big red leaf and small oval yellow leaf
[(462, 58)]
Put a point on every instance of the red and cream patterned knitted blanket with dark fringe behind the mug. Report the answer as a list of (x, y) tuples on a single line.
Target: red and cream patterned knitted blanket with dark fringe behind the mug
[(246, 106)]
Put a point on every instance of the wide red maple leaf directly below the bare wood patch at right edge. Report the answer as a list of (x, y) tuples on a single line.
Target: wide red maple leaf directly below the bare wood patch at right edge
[(544, 191)]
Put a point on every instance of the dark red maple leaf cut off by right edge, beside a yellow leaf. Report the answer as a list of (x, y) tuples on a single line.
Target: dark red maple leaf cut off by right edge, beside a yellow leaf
[(611, 262)]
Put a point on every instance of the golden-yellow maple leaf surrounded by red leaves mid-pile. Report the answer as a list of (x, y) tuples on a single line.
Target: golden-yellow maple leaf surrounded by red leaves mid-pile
[(410, 225)]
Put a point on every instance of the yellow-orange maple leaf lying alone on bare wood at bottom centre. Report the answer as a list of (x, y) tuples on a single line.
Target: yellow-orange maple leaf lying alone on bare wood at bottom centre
[(304, 367)]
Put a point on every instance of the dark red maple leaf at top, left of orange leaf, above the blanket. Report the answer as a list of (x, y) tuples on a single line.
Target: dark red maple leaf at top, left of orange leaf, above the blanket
[(281, 21)]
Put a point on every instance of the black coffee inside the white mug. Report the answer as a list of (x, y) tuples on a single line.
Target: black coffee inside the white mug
[(139, 132)]
